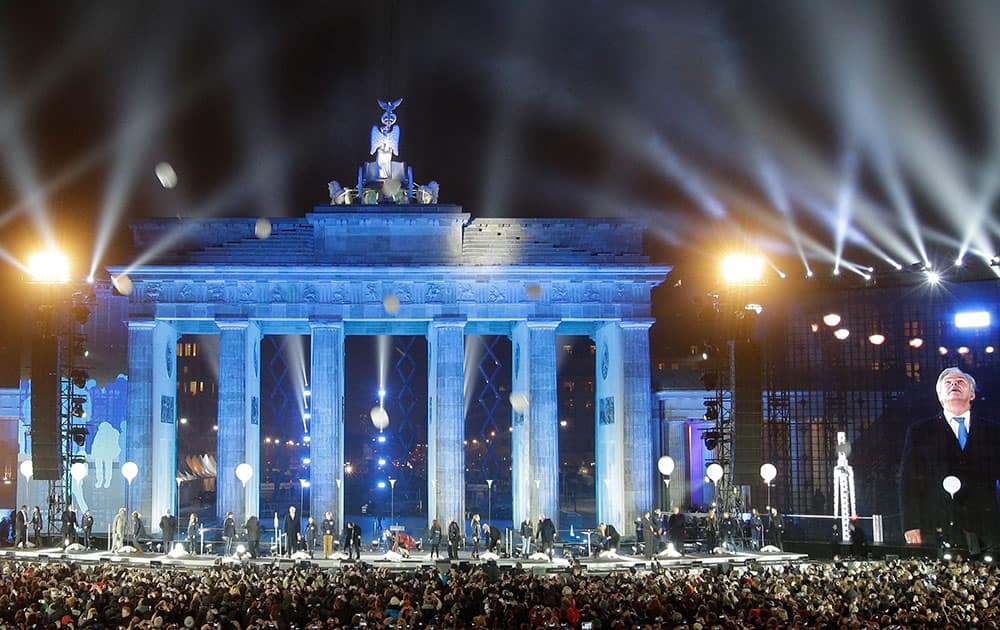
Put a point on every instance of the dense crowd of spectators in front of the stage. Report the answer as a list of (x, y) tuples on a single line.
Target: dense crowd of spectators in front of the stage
[(868, 594)]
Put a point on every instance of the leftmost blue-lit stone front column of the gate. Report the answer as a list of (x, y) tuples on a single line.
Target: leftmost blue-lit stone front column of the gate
[(139, 425)]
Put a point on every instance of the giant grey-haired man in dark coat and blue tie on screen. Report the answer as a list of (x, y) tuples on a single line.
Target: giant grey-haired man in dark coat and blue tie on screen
[(955, 443)]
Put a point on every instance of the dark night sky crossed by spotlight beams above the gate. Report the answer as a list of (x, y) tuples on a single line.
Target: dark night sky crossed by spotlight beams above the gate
[(827, 136)]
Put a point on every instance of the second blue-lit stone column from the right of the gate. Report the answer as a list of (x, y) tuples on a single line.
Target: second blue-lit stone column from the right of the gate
[(535, 439)]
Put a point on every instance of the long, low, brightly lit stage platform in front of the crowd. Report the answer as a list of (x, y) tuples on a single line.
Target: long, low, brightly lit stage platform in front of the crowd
[(418, 560)]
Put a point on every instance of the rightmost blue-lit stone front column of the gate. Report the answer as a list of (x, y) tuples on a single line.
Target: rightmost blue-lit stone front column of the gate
[(637, 416)]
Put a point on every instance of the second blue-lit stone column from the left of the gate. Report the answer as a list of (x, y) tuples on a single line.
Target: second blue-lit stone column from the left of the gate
[(239, 418)]
